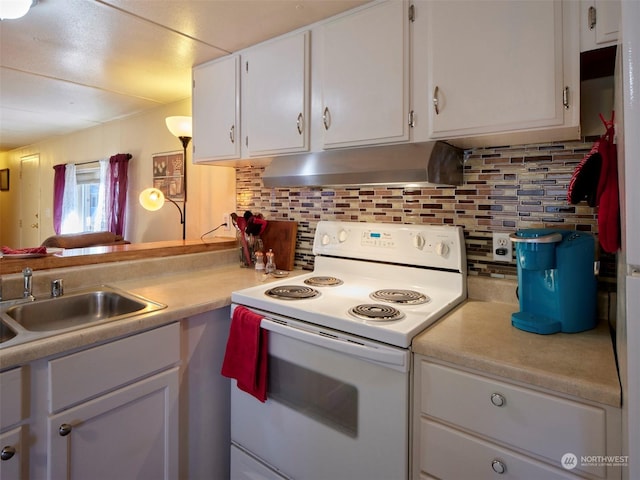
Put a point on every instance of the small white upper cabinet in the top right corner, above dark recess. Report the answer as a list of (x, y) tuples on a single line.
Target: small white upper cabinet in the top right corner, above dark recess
[(599, 23)]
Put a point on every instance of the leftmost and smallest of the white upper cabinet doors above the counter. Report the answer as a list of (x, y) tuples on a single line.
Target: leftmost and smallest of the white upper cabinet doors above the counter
[(216, 110)]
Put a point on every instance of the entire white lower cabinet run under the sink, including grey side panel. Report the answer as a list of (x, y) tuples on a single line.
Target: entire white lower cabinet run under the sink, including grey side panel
[(150, 406)]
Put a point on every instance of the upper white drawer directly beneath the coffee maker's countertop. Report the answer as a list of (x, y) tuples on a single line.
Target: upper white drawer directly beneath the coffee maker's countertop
[(539, 423)]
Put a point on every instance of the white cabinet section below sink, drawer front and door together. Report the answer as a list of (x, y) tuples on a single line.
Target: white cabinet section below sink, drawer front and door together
[(108, 411)]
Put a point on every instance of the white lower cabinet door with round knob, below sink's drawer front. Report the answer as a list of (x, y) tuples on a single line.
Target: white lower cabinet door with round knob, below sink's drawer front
[(129, 433)]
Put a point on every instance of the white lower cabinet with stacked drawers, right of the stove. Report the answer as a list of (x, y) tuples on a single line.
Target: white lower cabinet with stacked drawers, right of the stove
[(470, 425)]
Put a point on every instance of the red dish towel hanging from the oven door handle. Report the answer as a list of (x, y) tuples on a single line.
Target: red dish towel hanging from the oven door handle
[(245, 358)]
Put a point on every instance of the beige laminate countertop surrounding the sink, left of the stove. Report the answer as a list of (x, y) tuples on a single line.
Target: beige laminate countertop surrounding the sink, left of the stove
[(186, 294)]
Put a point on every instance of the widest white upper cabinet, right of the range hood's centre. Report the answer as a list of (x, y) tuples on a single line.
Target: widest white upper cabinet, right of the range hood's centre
[(499, 67)]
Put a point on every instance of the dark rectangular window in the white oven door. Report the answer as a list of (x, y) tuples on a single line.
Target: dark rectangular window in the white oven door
[(318, 396)]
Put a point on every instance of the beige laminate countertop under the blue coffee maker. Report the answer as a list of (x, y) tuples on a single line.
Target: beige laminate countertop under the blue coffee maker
[(479, 335)]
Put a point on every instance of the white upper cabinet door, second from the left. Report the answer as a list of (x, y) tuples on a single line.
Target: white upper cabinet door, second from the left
[(275, 105)]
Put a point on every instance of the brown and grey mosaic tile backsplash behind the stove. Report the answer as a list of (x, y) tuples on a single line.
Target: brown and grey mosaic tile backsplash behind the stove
[(505, 188)]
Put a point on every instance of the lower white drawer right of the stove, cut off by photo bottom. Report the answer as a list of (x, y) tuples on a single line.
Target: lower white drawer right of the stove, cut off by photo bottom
[(449, 454)]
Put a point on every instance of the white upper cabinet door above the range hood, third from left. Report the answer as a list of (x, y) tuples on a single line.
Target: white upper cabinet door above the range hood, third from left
[(365, 76)]
